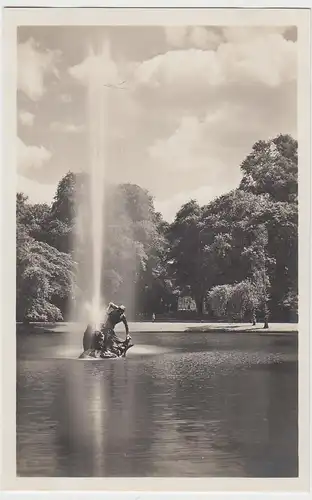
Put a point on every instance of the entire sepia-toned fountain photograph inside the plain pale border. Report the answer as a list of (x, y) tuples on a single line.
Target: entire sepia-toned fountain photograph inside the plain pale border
[(157, 248)]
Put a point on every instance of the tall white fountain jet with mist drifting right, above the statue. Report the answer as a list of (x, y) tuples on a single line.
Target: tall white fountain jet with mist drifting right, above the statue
[(99, 217)]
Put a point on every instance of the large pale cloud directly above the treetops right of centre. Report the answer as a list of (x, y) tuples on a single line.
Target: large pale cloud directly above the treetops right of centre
[(207, 150)]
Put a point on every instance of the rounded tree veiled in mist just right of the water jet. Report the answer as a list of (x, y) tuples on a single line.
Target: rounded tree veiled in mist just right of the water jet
[(136, 248)]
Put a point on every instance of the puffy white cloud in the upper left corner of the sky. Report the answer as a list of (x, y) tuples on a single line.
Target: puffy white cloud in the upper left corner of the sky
[(34, 64)]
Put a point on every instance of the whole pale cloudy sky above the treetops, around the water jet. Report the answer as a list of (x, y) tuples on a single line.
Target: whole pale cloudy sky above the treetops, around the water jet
[(194, 101)]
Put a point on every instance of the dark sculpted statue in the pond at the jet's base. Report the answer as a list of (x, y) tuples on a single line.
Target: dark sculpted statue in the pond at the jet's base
[(104, 343)]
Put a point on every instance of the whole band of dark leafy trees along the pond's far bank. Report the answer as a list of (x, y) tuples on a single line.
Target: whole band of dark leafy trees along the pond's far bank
[(237, 256)]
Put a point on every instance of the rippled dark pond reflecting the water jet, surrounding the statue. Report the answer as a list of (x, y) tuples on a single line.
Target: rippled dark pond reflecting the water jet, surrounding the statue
[(180, 404)]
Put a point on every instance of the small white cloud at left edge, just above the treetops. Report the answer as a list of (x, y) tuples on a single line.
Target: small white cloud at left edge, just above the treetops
[(31, 157)]
